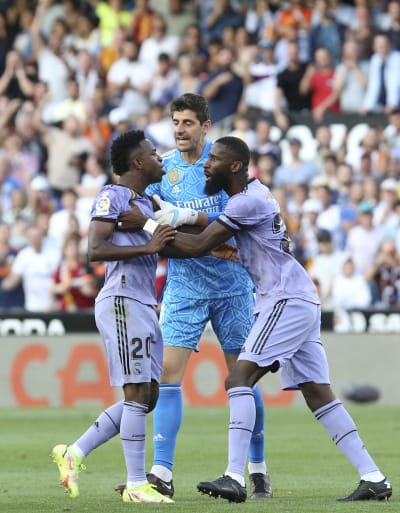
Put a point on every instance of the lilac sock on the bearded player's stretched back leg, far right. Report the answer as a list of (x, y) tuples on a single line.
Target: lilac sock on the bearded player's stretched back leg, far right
[(343, 431)]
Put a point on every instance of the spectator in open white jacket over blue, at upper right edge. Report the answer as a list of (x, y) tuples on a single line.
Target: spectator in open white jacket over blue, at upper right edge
[(383, 89)]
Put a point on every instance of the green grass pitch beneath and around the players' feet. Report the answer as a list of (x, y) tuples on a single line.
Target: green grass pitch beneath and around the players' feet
[(308, 473)]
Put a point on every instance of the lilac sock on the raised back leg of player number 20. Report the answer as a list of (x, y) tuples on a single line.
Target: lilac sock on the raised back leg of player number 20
[(105, 427)]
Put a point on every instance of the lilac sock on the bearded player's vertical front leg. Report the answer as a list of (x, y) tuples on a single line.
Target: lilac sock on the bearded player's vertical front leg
[(241, 424)]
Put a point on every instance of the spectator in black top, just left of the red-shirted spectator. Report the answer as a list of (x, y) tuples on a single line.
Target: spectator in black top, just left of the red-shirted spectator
[(287, 93)]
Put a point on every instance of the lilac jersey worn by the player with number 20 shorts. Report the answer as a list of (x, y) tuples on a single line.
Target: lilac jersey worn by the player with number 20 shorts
[(133, 278)]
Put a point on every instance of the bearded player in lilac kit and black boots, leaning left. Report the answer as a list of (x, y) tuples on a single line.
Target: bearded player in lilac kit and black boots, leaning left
[(286, 332)]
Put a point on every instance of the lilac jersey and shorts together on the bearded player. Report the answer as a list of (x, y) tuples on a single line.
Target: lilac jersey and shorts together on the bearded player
[(287, 326)]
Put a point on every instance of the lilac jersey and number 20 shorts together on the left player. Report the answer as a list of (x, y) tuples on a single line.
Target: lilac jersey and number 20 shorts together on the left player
[(124, 311)]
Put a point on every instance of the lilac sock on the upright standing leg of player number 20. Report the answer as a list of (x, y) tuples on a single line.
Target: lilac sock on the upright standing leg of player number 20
[(133, 438)]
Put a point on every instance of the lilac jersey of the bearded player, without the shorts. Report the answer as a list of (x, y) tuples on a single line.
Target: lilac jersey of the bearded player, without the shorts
[(264, 246)]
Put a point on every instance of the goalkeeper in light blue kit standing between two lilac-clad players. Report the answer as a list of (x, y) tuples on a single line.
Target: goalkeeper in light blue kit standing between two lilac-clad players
[(198, 291)]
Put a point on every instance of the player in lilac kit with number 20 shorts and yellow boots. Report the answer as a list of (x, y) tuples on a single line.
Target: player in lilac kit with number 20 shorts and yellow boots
[(125, 317)]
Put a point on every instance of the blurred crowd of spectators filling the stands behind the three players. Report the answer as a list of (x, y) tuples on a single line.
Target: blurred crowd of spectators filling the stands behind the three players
[(312, 87)]
